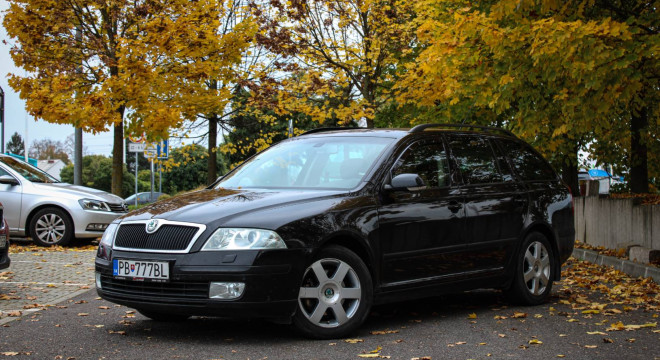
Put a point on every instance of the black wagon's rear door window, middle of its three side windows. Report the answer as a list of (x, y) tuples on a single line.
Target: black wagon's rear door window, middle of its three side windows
[(475, 159)]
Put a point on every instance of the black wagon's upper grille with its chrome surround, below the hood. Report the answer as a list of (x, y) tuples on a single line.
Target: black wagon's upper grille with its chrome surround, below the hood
[(170, 237)]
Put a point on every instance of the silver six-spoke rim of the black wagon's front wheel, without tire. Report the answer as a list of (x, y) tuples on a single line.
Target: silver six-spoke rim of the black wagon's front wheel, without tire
[(330, 294)]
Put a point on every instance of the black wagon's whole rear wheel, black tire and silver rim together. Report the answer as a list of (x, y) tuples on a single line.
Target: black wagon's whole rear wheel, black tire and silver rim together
[(535, 262)]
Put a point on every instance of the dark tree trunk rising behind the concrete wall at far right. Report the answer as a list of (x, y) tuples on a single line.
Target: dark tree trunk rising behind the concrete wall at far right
[(639, 172)]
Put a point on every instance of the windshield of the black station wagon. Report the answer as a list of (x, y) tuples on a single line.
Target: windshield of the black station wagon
[(314, 163)]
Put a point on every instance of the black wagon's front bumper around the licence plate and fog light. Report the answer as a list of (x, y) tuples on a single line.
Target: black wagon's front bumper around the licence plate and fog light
[(272, 281)]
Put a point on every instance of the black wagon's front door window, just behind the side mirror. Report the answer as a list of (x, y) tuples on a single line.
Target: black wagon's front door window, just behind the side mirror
[(428, 160)]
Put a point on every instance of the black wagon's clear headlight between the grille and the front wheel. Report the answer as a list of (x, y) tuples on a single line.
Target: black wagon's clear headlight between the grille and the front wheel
[(243, 239)]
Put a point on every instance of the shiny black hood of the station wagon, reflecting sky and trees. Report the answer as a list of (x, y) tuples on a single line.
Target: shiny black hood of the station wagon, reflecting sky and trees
[(206, 206)]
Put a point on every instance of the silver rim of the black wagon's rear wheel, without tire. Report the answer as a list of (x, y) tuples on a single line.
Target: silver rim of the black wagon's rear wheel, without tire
[(536, 268)]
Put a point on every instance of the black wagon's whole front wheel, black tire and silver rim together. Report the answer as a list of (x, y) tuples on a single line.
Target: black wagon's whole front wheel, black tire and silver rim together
[(335, 296)]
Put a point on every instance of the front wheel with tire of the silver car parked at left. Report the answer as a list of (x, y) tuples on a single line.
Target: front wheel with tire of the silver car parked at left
[(51, 226)]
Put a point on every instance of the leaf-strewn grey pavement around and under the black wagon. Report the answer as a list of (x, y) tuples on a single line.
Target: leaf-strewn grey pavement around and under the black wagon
[(73, 323)]
